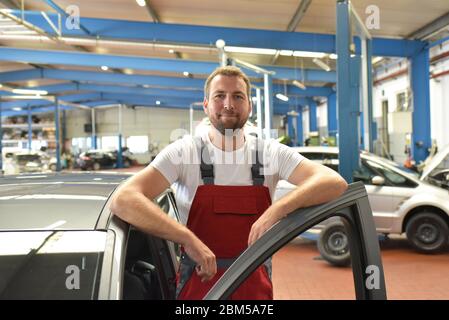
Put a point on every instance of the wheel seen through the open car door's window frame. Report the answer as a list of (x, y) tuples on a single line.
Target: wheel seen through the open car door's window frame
[(333, 244)]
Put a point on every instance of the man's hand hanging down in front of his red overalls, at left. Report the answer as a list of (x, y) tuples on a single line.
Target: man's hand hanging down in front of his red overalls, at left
[(206, 267)]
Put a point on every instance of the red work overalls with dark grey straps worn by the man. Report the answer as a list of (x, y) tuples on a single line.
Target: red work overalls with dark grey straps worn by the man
[(221, 217)]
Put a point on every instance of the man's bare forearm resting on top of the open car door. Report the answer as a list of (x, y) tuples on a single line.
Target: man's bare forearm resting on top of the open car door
[(316, 190)]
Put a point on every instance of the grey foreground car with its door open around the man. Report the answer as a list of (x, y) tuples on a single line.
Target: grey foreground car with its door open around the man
[(59, 240)]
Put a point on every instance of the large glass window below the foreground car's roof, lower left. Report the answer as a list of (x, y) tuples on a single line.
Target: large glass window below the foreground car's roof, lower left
[(51, 264)]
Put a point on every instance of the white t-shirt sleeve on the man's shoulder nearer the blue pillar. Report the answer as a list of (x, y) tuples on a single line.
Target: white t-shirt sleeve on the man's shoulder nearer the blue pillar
[(284, 159)]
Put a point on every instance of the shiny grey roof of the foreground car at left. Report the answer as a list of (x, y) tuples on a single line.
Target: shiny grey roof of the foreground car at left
[(62, 201)]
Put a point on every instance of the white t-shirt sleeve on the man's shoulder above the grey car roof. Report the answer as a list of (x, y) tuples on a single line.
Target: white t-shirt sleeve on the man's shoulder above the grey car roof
[(169, 161)]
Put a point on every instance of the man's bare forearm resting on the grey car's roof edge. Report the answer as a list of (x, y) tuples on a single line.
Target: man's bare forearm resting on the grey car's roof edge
[(141, 212)]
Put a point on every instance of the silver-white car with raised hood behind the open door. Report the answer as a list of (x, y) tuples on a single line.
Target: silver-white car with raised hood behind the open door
[(401, 200)]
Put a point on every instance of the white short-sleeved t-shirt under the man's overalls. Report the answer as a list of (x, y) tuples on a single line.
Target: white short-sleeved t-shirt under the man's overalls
[(179, 163)]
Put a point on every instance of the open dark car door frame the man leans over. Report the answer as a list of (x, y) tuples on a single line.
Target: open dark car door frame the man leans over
[(354, 209)]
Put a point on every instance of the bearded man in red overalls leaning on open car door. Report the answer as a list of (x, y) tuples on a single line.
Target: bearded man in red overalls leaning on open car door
[(223, 198)]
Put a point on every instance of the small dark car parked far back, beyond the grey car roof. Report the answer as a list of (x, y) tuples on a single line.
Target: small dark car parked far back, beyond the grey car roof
[(101, 159)]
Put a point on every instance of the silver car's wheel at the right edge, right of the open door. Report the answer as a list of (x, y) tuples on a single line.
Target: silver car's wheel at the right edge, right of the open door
[(427, 232)]
